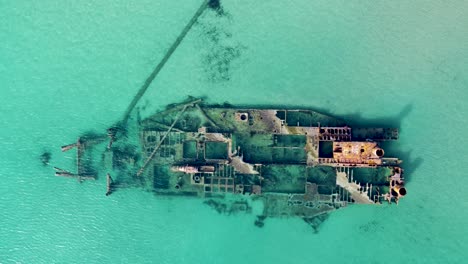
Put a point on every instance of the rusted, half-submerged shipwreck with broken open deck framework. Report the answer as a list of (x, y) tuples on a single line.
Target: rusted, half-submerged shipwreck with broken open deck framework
[(297, 162)]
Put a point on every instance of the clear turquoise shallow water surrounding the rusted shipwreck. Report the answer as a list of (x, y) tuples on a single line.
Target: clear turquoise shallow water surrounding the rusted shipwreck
[(70, 66)]
